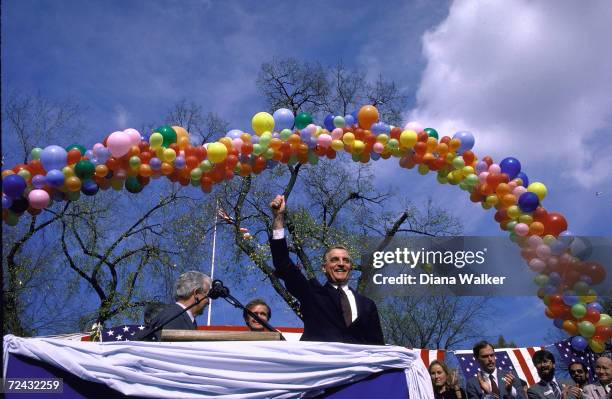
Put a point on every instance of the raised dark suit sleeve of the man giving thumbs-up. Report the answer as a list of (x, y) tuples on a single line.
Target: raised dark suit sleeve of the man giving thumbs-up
[(295, 281)]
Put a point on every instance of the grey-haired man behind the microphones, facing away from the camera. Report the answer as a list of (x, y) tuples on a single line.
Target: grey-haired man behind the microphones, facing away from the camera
[(190, 287)]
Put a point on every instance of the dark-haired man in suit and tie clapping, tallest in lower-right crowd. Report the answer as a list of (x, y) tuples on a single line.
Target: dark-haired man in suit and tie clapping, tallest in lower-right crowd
[(489, 382)]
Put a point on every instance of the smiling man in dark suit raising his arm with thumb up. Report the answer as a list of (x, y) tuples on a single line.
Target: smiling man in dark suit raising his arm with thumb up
[(332, 312)]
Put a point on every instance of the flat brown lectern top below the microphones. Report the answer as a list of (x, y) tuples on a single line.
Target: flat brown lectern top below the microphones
[(218, 335)]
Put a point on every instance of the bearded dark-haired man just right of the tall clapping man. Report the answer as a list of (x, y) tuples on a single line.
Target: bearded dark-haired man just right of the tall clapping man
[(548, 387)]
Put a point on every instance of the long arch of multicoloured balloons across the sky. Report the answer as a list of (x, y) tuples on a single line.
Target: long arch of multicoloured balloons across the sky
[(127, 159)]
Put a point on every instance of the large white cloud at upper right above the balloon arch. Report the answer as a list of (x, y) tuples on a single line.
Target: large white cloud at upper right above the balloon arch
[(529, 79)]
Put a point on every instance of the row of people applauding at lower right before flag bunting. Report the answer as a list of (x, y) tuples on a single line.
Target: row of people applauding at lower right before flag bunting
[(490, 383)]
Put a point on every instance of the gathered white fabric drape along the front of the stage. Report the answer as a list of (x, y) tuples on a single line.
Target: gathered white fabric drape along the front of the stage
[(223, 369)]
